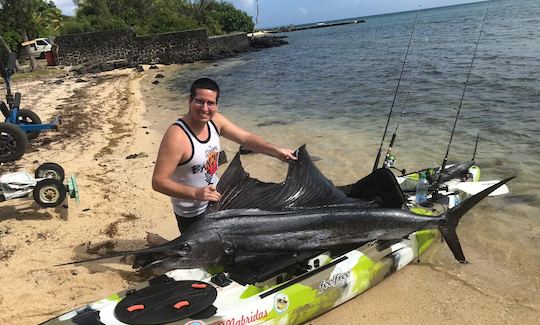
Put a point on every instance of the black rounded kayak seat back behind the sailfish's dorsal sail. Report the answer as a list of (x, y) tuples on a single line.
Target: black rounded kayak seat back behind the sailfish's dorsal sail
[(380, 186)]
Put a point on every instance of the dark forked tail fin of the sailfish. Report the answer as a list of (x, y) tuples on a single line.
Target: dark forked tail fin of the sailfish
[(454, 215)]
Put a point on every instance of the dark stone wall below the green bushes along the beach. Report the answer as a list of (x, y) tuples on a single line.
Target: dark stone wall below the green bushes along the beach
[(175, 47)]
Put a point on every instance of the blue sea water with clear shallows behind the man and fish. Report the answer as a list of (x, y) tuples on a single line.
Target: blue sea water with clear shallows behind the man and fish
[(333, 88)]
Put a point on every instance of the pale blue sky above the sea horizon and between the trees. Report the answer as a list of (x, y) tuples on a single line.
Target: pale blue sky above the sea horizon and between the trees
[(273, 13)]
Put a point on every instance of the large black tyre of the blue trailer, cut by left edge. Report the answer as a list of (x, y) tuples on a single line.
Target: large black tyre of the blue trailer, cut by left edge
[(13, 142)]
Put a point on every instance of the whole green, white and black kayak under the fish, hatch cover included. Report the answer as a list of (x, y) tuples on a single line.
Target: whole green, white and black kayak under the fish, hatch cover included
[(292, 290)]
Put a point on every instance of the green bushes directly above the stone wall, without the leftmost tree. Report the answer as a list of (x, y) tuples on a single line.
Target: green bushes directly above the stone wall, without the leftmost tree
[(157, 16)]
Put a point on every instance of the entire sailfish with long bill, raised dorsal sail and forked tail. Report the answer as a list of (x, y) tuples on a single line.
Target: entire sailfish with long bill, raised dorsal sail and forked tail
[(305, 212)]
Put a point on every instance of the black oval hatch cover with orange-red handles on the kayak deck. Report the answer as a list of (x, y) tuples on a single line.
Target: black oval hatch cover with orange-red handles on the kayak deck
[(166, 302)]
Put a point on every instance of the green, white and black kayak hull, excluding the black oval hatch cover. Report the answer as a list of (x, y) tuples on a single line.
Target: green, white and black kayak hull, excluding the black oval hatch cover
[(284, 299)]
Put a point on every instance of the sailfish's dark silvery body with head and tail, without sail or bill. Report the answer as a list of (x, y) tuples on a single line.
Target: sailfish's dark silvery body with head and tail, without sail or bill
[(221, 237)]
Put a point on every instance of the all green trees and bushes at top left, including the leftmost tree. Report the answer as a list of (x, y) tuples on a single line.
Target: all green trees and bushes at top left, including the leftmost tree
[(41, 18)]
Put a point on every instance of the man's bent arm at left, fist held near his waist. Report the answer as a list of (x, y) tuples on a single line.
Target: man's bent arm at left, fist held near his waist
[(171, 152)]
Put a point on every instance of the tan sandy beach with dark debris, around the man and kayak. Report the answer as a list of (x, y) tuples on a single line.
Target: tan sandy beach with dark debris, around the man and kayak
[(109, 116)]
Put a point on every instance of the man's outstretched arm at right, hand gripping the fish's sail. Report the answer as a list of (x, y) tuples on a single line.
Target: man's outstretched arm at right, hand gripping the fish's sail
[(250, 140)]
